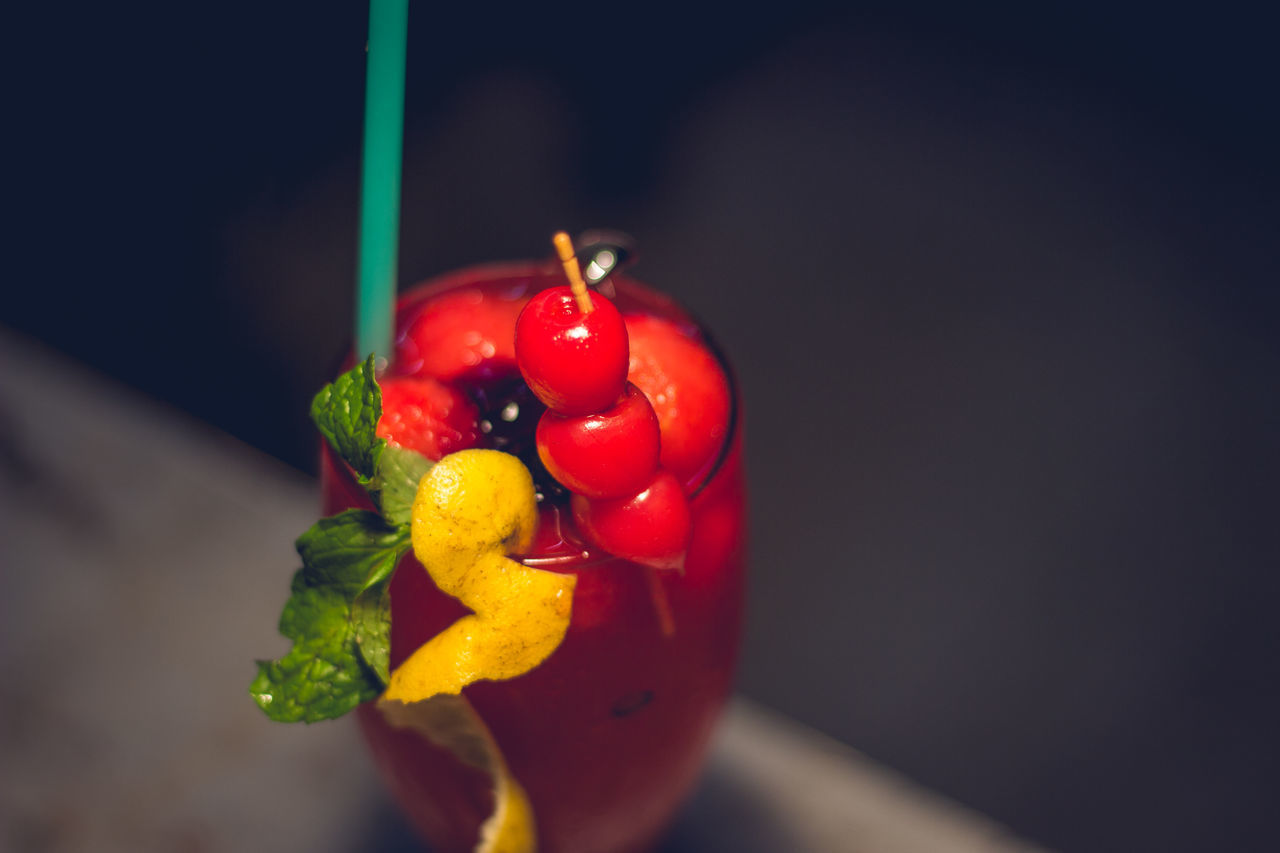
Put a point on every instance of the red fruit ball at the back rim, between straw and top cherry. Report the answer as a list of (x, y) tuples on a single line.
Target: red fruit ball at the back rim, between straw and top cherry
[(467, 334)]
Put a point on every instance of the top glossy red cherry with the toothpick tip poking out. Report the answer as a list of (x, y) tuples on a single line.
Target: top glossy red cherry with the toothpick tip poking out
[(575, 363)]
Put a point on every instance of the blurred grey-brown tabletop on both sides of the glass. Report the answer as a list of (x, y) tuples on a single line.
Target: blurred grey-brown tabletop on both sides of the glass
[(145, 559)]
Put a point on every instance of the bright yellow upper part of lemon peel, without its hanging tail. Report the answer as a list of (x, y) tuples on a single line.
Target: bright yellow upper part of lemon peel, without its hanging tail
[(473, 509)]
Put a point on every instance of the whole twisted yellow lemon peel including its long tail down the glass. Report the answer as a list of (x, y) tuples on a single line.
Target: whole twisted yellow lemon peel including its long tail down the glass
[(472, 510)]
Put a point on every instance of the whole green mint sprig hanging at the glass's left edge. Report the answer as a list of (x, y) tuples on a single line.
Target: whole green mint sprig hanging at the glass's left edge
[(339, 614)]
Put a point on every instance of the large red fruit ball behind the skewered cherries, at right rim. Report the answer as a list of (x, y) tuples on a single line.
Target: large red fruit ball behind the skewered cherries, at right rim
[(689, 394)]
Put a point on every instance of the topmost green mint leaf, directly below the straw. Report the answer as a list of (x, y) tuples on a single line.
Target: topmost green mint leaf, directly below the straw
[(346, 413)]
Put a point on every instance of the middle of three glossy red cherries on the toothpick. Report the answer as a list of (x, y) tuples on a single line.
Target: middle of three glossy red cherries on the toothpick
[(610, 454)]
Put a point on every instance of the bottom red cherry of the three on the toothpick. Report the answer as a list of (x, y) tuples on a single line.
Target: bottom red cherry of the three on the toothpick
[(652, 528)]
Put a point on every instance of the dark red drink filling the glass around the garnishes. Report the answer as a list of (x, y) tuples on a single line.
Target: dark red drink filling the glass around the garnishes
[(607, 736)]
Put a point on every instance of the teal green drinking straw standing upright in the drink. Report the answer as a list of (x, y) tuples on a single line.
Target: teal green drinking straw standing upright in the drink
[(381, 177)]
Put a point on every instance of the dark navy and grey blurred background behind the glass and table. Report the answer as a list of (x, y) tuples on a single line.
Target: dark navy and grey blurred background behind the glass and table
[(1000, 286)]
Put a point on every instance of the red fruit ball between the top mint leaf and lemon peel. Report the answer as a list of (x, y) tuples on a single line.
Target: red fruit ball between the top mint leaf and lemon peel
[(427, 417)]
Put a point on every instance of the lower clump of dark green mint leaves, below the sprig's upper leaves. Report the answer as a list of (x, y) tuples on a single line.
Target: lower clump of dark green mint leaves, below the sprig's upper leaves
[(337, 618)]
